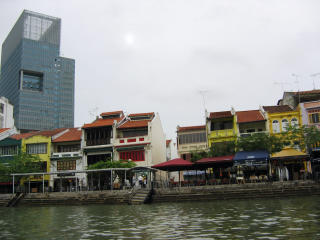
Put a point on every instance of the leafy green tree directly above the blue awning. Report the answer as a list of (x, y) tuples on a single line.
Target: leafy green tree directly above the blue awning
[(260, 141)]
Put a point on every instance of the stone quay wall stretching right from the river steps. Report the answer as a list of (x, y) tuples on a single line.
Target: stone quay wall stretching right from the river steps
[(234, 191)]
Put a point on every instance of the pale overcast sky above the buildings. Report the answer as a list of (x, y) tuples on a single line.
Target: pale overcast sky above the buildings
[(166, 56)]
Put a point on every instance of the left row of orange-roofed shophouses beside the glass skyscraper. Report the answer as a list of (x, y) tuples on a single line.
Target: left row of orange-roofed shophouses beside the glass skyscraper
[(136, 137)]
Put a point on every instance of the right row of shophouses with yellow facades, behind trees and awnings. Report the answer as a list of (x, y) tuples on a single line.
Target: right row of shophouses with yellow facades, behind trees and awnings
[(295, 109)]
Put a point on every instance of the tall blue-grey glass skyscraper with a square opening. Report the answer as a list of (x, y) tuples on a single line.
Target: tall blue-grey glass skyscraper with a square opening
[(34, 77)]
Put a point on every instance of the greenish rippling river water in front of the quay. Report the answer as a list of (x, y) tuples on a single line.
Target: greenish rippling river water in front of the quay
[(293, 218)]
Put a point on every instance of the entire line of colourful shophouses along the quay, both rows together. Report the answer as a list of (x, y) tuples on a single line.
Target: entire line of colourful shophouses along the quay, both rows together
[(140, 138)]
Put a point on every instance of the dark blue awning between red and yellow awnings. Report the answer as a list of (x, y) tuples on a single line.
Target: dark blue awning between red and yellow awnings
[(254, 158)]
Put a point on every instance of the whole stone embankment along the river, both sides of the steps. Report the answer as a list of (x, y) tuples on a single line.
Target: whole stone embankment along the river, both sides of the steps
[(182, 194)]
